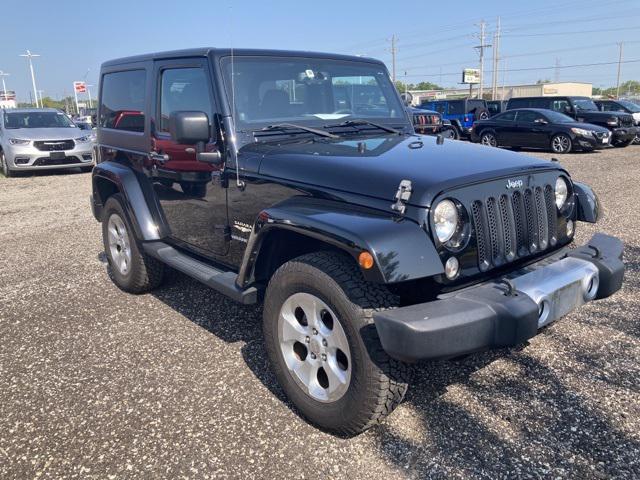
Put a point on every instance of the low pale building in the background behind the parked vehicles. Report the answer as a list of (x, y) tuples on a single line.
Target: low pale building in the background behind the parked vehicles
[(508, 91)]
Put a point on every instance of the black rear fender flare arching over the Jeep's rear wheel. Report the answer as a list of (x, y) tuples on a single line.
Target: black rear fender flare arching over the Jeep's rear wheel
[(141, 205)]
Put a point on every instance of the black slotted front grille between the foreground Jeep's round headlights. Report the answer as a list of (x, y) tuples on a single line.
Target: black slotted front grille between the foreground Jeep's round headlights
[(514, 225)]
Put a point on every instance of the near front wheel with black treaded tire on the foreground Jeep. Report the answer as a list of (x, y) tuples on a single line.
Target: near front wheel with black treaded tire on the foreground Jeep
[(323, 345)]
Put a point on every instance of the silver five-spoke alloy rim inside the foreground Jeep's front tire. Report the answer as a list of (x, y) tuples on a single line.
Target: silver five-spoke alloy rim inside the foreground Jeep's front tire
[(314, 347)]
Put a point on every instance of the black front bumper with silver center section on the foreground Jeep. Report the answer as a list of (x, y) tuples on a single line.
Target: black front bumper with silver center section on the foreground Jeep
[(505, 311)]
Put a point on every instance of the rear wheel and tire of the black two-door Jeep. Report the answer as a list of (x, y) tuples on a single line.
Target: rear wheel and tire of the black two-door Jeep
[(130, 269)]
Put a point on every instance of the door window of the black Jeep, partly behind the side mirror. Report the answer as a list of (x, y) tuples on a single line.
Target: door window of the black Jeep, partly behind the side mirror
[(183, 89)]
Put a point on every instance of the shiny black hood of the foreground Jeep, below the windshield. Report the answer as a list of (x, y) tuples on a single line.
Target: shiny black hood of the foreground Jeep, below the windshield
[(374, 166)]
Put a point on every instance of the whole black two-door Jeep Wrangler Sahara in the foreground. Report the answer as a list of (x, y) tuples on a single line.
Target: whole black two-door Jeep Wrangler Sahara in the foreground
[(274, 177)]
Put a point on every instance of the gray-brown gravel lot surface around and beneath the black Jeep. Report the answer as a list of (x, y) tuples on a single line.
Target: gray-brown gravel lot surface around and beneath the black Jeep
[(96, 383)]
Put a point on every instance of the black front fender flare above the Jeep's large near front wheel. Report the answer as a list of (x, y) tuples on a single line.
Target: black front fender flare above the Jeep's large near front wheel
[(401, 249)]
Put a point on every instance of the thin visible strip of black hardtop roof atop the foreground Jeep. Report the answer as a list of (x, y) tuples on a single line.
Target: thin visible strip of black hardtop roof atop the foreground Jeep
[(222, 52)]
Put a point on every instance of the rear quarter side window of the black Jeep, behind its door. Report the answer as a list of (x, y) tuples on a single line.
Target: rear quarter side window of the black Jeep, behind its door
[(122, 102)]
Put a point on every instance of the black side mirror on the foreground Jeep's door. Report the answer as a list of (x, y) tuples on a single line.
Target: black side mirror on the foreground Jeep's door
[(192, 128)]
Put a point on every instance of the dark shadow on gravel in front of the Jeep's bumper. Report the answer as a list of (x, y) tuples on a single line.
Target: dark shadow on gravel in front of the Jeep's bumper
[(552, 433)]
